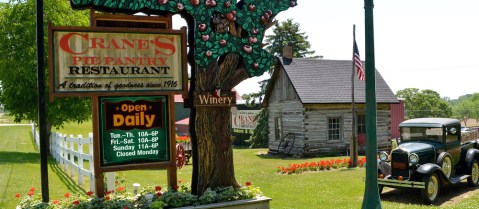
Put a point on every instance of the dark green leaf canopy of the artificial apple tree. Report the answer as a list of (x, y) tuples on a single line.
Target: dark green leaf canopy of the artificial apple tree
[(253, 14)]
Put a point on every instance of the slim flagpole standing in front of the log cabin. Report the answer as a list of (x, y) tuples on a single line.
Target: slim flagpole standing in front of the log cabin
[(353, 155)]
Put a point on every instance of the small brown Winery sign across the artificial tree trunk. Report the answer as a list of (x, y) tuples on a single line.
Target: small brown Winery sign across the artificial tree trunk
[(212, 100)]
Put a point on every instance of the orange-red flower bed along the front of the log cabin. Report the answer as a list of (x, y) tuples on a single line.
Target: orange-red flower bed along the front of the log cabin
[(318, 166)]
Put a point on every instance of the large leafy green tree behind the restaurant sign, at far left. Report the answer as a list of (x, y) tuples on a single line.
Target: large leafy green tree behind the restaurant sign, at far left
[(18, 69)]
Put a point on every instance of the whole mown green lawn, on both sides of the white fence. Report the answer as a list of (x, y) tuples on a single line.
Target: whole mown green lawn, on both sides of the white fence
[(341, 188)]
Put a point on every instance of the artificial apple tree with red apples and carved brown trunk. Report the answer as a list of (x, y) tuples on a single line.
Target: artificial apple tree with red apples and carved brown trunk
[(227, 49)]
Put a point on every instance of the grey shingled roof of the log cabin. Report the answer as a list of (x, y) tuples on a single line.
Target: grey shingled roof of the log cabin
[(320, 81)]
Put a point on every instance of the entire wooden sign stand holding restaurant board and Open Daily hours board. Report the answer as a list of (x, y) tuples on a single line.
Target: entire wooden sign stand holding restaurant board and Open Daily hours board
[(131, 75)]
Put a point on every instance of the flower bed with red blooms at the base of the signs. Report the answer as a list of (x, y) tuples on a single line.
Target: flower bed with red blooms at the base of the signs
[(153, 197)]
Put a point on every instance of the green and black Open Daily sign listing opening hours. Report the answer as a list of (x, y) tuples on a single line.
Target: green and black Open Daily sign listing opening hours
[(133, 130)]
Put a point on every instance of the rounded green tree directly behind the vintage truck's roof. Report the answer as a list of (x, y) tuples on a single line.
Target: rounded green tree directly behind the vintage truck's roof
[(424, 103)]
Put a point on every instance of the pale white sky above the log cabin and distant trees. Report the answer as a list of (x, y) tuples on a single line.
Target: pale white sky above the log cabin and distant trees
[(425, 44)]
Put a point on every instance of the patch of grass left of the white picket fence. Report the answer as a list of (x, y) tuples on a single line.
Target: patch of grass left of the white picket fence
[(20, 168)]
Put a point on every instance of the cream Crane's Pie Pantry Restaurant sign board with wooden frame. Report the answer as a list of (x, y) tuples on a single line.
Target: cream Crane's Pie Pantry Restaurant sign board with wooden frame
[(94, 59)]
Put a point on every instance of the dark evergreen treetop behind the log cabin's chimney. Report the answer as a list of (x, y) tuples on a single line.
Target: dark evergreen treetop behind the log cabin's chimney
[(288, 33)]
